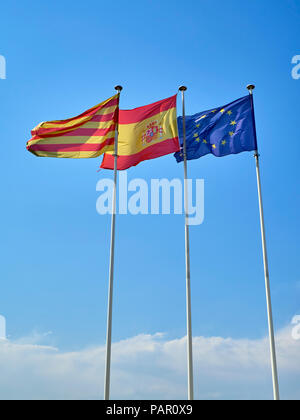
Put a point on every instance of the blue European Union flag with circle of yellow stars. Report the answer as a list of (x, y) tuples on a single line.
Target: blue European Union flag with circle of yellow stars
[(226, 130)]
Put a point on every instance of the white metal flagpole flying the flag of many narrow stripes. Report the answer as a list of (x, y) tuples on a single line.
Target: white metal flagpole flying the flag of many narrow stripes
[(111, 267)]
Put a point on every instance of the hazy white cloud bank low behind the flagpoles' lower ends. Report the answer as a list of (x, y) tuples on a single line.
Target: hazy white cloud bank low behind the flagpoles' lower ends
[(150, 367)]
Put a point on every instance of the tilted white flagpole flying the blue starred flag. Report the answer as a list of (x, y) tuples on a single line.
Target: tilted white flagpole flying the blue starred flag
[(265, 260)]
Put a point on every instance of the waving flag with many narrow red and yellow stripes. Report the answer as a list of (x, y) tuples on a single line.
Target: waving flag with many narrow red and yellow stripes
[(86, 136)]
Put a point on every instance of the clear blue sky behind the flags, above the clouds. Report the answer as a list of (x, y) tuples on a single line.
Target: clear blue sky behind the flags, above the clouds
[(64, 57)]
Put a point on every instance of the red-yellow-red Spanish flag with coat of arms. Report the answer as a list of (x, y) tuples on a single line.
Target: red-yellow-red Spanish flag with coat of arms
[(145, 133)]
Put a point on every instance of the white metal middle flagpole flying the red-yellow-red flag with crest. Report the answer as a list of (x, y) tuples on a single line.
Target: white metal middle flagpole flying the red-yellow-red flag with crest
[(187, 262)]
